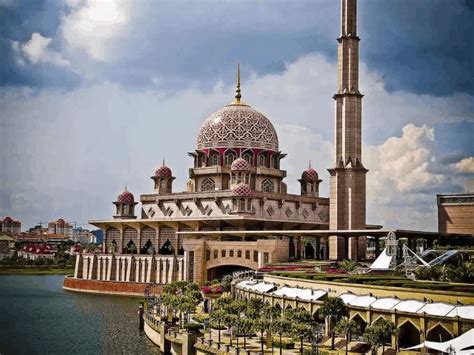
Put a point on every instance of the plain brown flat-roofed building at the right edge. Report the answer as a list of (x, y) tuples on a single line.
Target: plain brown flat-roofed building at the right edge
[(456, 213)]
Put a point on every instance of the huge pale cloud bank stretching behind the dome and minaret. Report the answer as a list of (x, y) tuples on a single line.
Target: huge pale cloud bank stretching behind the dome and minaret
[(75, 150)]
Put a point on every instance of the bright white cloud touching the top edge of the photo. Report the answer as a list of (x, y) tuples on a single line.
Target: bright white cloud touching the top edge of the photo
[(93, 26)]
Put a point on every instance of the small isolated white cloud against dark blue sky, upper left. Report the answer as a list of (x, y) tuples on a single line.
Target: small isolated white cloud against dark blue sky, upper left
[(38, 50)]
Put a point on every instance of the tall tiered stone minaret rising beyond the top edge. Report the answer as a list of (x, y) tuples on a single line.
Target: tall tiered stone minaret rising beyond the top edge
[(347, 182)]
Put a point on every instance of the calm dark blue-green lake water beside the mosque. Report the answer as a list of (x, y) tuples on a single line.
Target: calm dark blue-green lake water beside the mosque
[(38, 317)]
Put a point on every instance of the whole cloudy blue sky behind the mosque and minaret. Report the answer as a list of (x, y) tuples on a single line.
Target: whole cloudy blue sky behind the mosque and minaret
[(94, 94)]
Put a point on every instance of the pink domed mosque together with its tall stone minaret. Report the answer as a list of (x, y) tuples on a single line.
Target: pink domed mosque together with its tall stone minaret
[(236, 212)]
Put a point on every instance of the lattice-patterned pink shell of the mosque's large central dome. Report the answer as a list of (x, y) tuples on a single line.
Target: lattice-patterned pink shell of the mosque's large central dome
[(237, 126)]
